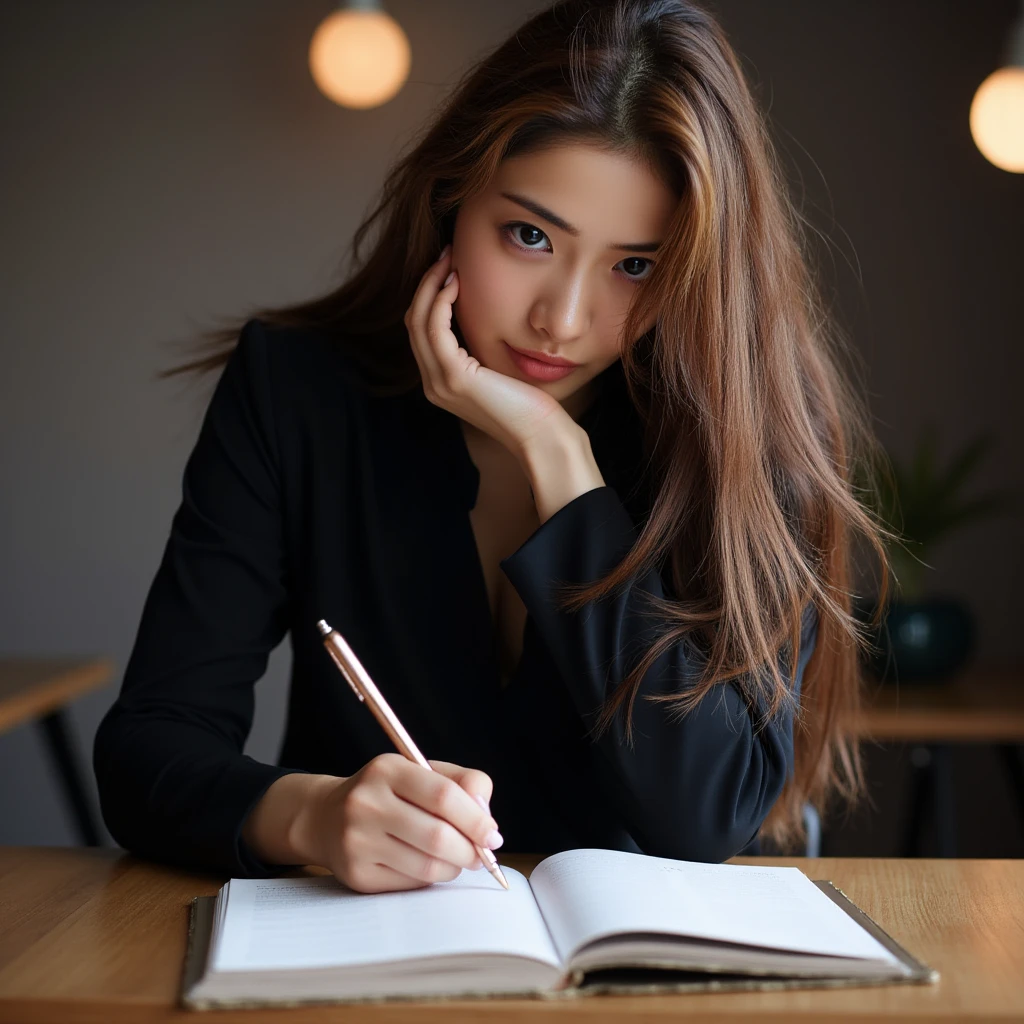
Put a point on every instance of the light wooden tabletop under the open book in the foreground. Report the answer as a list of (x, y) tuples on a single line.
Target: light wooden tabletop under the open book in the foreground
[(93, 935)]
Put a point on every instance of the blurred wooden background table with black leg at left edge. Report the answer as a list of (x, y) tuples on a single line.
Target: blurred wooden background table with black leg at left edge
[(40, 689)]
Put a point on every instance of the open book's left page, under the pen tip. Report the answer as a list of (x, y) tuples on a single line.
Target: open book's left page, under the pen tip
[(318, 922)]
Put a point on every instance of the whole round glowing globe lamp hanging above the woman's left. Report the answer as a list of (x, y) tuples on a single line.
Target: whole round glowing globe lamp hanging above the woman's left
[(360, 57)]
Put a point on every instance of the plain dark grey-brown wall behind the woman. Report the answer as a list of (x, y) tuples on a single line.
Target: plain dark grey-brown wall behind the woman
[(168, 164)]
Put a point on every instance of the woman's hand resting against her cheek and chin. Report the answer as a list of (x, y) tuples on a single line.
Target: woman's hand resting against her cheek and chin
[(515, 413)]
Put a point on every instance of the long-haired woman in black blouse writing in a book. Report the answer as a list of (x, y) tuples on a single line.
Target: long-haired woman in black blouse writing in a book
[(578, 493)]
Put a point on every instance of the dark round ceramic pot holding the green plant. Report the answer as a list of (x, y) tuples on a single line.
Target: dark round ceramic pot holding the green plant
[(925, 642)]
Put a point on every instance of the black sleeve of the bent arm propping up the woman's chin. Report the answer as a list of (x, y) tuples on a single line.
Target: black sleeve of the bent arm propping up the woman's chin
[(696, 789)]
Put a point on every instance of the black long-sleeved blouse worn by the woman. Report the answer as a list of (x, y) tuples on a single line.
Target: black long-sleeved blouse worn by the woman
[(308, 498)]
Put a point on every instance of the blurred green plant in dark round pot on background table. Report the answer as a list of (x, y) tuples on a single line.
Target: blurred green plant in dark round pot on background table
[(922, 634)]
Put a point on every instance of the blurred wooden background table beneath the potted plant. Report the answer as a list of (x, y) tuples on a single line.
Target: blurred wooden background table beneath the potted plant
[(983, 705)]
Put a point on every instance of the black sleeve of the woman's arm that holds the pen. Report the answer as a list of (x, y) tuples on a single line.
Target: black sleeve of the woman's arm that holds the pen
[(174, 783)]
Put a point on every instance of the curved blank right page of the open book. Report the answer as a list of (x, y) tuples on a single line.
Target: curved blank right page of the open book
[(590, 894)]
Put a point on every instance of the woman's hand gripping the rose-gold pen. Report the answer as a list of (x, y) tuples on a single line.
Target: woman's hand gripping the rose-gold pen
[(397, 826)]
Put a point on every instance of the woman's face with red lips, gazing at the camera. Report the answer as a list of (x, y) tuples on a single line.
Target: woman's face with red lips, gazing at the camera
[(549, 258)]
